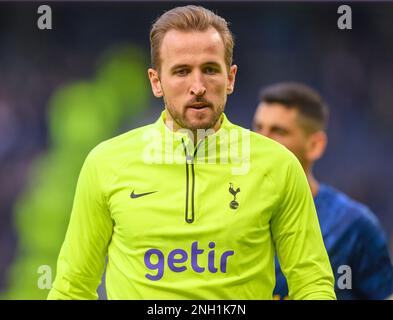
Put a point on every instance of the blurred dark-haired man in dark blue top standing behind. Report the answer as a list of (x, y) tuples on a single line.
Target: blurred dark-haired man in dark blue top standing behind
[(296, 116)]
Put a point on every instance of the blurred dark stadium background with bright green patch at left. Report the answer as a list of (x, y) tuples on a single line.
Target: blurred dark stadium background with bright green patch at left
[(64, 90)]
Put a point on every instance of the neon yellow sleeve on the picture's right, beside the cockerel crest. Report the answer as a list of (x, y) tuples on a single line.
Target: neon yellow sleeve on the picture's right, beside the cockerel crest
[(298, 240)]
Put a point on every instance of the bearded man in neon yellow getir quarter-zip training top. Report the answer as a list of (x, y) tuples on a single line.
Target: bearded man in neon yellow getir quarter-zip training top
[(180, 213)]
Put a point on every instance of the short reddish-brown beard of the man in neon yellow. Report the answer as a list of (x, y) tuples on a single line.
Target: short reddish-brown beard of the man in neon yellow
[(193, 119)]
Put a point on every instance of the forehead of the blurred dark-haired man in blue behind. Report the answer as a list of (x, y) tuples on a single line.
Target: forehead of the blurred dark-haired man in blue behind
[(276, 113)]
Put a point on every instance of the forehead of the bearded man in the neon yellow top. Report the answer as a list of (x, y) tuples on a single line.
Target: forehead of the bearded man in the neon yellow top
[(192, 46)]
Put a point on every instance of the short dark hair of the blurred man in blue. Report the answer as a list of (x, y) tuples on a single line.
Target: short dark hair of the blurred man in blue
[(301, 97)]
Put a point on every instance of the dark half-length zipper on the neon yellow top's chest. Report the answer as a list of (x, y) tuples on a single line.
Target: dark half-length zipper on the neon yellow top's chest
[(190, 200)]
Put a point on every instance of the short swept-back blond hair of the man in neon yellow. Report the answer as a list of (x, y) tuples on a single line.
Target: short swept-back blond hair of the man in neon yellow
[(189, 18)]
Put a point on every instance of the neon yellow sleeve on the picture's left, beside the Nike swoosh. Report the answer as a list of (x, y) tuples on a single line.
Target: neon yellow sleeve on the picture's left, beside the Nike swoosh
[(82, 257)]
